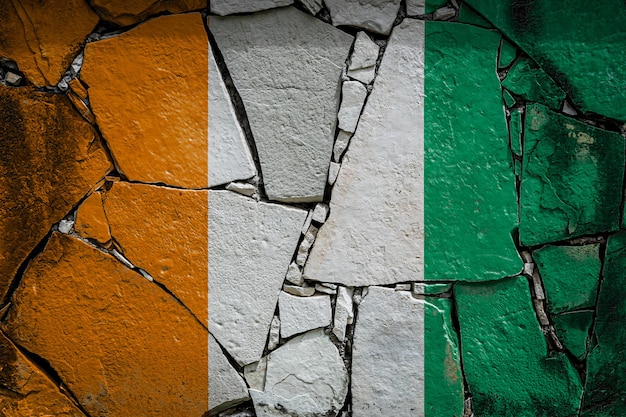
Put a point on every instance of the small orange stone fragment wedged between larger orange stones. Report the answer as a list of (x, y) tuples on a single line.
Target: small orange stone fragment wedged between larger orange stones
[(91, 221)]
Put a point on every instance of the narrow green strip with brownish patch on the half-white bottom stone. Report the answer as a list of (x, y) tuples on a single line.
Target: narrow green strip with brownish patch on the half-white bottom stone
[(443, 381)]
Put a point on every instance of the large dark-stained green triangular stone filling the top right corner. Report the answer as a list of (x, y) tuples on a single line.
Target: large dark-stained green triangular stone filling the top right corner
[(580, 44)]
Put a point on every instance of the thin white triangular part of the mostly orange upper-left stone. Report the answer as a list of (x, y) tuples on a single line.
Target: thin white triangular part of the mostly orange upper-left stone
[(229, 156)]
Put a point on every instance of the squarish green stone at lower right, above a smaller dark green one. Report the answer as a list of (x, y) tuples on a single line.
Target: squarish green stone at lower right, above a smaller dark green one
[(570, 276)]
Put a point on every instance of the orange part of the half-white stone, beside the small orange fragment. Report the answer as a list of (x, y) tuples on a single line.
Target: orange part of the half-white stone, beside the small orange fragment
[(164, 231)]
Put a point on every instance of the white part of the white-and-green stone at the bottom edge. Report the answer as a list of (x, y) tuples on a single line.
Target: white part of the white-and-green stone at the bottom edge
[(388, 355)]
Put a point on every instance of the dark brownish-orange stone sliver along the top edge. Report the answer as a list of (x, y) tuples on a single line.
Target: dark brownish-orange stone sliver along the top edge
[(127, 13)]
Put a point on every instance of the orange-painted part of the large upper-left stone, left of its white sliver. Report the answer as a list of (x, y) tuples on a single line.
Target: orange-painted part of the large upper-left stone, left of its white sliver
[(148, 89)]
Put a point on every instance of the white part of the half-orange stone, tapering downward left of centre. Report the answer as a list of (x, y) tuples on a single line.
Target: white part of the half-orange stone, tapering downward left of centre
[(250, 248)]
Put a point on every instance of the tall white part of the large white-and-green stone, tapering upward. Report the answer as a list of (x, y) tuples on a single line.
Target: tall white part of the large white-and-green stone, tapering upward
[(375, 231)]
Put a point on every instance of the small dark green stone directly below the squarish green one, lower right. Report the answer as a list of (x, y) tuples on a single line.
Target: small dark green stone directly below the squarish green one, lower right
[(573, 329)]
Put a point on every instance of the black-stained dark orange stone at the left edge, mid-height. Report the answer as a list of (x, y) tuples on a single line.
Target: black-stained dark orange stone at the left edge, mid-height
[(50, 157)]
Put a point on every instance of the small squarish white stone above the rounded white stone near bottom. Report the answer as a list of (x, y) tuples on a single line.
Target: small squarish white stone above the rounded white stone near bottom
[(301, 314)]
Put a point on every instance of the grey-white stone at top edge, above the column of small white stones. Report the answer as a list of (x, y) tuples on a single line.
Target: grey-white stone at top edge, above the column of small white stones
[(373, 15)]
